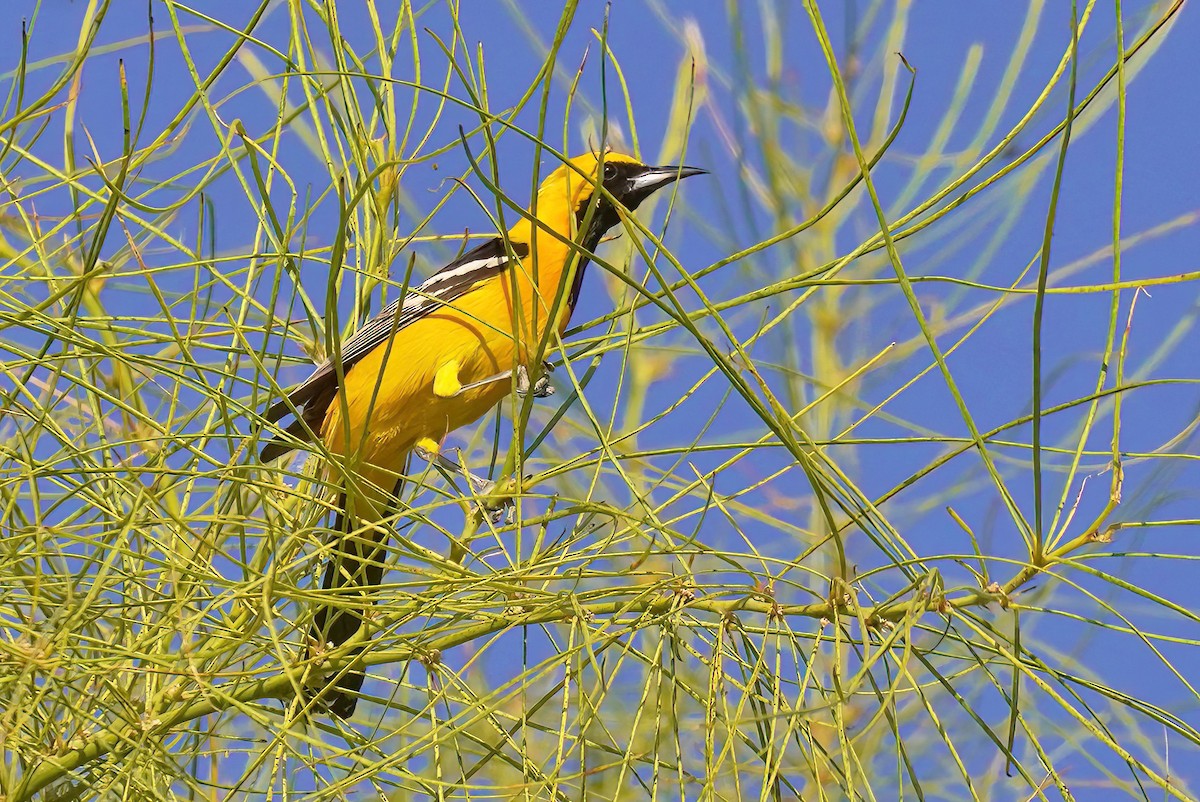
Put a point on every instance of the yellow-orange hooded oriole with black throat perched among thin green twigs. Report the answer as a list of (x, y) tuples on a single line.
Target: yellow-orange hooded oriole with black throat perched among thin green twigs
[(443, 356)]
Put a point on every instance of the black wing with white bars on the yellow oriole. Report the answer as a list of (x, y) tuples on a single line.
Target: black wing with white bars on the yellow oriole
[(315, 394)]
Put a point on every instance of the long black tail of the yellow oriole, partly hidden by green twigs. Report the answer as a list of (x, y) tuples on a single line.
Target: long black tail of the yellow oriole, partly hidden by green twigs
[(356, 568)]
